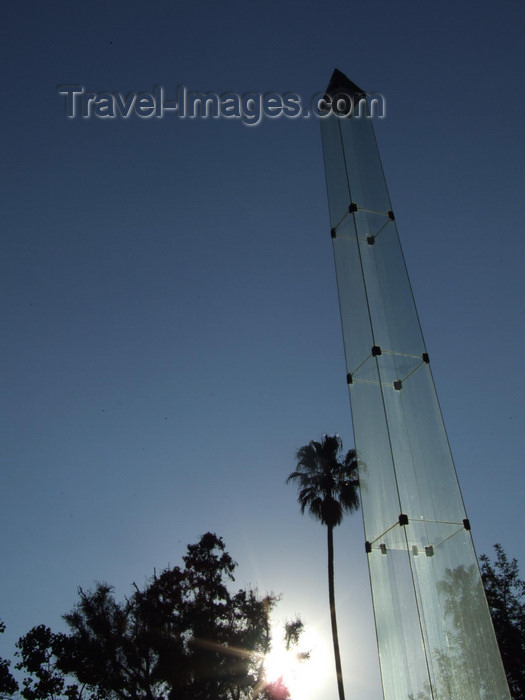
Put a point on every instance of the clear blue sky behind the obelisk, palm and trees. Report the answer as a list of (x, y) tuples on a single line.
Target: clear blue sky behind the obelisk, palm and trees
[(171, 327)]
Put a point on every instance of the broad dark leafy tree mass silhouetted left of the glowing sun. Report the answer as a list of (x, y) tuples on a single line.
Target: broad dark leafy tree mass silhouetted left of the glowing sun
[(184, 636)]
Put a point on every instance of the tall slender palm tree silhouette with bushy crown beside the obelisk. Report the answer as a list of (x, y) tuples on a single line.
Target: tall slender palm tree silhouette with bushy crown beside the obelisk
[(328, 484)]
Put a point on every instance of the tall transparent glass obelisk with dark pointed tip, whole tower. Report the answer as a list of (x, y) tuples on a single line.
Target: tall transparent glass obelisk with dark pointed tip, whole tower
[(434, 631)]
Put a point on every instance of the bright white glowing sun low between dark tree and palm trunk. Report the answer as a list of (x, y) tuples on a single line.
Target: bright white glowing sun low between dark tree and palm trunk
[(303, 669)]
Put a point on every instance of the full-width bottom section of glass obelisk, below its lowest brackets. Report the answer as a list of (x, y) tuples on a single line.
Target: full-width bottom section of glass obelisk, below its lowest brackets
[(434, 632)]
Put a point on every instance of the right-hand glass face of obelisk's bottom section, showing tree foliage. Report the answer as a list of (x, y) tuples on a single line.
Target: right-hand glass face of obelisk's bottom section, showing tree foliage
[(462, 651)]
